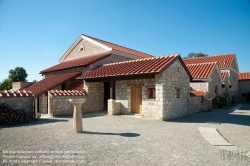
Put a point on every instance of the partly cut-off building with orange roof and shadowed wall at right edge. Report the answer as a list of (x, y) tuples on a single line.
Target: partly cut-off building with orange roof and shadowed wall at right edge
[(244, 86)]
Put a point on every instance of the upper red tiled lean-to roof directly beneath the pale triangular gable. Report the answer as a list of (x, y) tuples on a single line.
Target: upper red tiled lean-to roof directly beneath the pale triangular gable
[(76, 62)]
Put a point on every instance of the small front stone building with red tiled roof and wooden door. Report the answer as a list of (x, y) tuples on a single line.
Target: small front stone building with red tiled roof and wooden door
[(155, 87)]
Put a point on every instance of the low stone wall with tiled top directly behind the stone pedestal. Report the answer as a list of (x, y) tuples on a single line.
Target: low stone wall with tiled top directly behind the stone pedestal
[(60, 105)]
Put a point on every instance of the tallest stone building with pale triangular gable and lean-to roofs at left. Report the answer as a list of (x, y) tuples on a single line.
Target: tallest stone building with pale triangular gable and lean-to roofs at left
[(59, 82)]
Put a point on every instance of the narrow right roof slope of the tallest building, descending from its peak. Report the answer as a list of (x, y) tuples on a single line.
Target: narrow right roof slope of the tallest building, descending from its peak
[(121, 48)]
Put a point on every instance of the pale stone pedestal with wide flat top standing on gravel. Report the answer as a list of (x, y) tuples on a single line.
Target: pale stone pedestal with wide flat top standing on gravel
[(77, 116)]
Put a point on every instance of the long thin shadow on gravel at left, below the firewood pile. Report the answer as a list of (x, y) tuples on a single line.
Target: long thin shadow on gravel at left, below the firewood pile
[(36, 122)]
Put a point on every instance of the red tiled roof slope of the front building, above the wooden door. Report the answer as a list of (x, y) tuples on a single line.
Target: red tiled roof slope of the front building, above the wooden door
[(134, 67)]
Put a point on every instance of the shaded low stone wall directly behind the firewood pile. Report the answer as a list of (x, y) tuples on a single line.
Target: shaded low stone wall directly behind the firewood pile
[(20, 103)]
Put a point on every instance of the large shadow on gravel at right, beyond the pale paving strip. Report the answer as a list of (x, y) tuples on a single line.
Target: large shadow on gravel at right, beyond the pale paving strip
[(219, 116)]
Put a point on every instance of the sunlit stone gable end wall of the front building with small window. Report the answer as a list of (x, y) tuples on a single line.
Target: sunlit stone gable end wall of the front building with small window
[(167, 83)]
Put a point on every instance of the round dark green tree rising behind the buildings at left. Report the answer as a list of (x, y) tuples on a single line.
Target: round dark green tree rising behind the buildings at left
[(18, 74)]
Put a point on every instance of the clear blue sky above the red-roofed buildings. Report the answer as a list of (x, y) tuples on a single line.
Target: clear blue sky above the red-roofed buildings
[(34, 34)]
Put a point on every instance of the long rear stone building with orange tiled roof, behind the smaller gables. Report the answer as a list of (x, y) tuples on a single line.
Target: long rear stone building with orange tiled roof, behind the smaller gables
[(227, 63)]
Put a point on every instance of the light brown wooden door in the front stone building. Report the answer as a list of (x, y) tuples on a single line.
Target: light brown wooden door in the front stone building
[(136, 99)]
